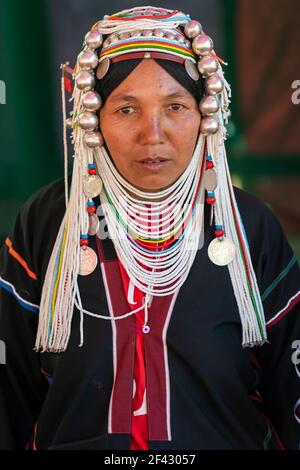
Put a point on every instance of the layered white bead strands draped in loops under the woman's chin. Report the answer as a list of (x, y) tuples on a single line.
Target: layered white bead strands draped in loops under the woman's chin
[(128, 211)]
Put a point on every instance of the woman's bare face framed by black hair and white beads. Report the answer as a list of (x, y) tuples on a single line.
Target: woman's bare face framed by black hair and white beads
[(150, 124)]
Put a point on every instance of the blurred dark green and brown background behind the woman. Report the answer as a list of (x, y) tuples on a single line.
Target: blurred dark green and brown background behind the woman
[(260, 45)]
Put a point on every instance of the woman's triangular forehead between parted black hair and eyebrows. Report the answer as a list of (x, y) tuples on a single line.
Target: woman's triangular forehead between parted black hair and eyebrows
[(148, 77)]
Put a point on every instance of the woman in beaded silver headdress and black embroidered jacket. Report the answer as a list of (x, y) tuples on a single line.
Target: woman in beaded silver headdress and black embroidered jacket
[(168, 320)]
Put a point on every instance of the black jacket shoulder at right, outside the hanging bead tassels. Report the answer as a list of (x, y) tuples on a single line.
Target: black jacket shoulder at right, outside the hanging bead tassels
[(274, 262)]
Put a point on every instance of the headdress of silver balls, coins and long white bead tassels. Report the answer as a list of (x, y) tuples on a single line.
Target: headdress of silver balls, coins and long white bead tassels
[(146, 32)]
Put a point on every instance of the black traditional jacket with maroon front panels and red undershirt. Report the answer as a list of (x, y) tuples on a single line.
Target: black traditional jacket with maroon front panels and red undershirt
[(186, 384)]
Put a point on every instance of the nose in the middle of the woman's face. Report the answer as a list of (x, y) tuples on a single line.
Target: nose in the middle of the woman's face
[(151, 130)]
